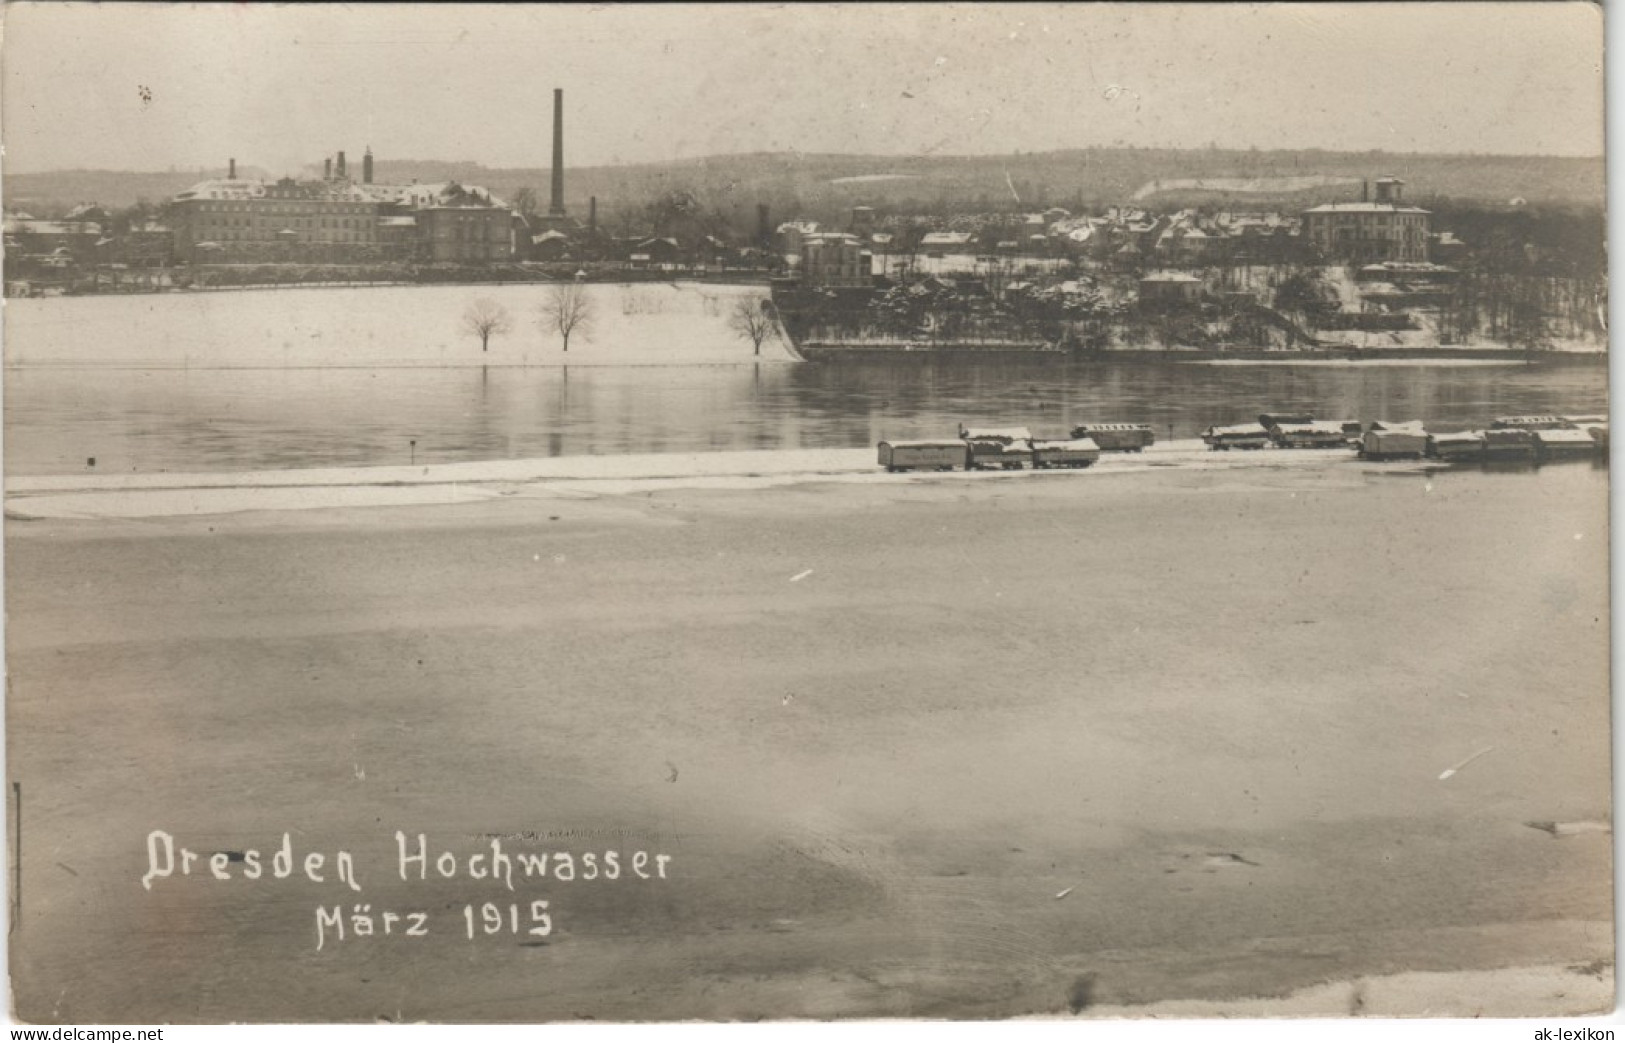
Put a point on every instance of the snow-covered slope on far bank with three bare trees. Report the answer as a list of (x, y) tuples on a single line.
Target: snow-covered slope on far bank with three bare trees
[(633, 324)]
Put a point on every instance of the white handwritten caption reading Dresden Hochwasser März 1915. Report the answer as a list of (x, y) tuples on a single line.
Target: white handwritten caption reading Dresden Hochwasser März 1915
[(415, 863)]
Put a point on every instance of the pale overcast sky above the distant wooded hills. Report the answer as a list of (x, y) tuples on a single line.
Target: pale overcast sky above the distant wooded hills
[(137, 87)]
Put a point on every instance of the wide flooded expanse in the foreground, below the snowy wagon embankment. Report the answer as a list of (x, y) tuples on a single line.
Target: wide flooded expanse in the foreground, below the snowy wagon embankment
[(919, 748)]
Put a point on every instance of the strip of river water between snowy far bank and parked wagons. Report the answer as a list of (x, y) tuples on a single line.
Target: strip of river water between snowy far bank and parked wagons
[(227, 420)]
